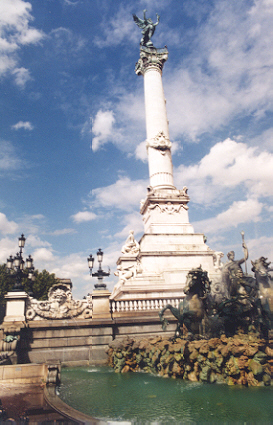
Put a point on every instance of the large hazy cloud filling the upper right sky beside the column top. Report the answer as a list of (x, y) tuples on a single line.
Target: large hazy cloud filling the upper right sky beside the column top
[(228, 73)]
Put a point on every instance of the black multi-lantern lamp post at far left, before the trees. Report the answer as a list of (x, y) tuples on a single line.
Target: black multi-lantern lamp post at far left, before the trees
[(17, 265)]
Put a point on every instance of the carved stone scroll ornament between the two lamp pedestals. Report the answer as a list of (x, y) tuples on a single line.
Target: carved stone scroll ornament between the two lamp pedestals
[(60, 305)]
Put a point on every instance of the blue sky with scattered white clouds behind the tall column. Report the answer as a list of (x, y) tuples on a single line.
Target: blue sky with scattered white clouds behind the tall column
[(73, 166)]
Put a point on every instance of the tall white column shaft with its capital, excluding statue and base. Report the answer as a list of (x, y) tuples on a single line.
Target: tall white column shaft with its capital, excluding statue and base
[(158, 143)]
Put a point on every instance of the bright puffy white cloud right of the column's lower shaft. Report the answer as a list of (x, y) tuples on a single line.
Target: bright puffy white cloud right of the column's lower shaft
[(228, 166)]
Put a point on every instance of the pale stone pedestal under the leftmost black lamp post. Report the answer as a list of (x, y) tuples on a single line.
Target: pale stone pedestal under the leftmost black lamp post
[(16, 306)]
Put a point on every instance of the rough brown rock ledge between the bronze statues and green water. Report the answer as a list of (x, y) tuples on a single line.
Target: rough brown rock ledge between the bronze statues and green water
[(242, 359)]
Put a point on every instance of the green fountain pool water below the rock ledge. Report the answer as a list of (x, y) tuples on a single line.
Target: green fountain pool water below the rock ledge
[(139, 398)]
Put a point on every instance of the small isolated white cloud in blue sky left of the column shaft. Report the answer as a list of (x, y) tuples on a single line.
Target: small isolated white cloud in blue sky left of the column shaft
[(102, 128)]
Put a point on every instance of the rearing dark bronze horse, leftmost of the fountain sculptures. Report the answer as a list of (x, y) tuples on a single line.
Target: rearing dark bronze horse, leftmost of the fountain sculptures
[(192, 309)]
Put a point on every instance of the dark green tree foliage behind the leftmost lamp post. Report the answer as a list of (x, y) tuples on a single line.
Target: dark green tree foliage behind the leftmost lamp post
[(40, 286)]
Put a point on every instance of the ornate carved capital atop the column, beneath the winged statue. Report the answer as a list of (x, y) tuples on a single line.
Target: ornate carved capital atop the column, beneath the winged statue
[(150, 57)]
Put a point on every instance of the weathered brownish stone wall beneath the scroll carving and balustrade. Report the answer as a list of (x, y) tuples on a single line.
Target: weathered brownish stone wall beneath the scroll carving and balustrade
[(78, 342)]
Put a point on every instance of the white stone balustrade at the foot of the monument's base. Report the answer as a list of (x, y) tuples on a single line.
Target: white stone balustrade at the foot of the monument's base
[(143, 305)]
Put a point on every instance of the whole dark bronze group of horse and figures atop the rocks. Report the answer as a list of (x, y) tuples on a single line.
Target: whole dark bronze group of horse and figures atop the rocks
[(244, 307)]
